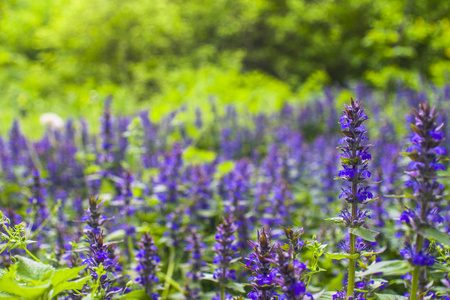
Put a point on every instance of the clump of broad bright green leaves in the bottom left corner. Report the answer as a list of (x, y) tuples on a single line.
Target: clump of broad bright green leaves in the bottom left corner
[(28, 279)]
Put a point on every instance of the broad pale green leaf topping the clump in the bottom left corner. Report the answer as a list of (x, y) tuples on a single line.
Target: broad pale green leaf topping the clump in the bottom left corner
[(31, 270)]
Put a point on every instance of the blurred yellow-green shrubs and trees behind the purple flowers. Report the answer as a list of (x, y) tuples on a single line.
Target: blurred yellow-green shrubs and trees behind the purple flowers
[(66, 56)]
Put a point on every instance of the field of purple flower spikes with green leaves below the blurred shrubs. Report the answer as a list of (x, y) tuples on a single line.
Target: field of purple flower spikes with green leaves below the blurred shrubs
[(315, 201)]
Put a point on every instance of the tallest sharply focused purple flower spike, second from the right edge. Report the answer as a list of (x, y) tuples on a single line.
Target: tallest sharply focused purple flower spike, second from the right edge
[(354, 160)]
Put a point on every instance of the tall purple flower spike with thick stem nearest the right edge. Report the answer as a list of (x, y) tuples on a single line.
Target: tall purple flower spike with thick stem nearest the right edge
[(425, 153)]
